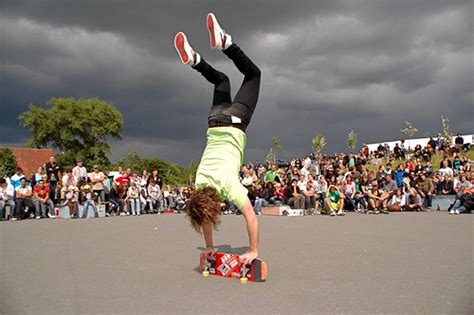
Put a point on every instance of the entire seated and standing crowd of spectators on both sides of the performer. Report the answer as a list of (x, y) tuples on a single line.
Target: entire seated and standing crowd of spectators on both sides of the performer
[(320, 184)]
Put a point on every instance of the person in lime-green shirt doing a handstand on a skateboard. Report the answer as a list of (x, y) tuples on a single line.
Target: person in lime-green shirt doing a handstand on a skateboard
[(217, 174)]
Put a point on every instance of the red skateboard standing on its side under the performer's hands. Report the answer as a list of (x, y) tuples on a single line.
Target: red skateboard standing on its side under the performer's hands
[(229, 266)]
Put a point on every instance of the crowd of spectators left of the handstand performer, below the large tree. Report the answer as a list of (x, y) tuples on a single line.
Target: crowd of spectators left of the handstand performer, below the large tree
[(121, 192)]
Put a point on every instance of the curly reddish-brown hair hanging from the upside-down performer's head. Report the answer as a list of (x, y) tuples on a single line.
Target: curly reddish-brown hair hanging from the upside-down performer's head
[(204, 206)]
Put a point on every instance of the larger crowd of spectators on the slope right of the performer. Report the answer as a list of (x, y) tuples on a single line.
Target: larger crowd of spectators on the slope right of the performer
[(334, 184)]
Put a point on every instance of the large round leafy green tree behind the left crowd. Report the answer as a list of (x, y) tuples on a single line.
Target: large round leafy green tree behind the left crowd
[(79, 128)]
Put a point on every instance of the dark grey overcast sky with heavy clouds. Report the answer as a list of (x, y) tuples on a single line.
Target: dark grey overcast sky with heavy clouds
[(327, 66)]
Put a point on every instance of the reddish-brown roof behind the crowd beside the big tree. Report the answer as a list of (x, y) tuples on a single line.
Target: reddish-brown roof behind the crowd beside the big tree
[(30, 159)]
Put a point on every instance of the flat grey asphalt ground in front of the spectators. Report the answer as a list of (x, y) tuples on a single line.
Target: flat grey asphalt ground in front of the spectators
[(397, 263)]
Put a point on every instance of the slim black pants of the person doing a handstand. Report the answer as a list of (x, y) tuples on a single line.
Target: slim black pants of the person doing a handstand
[(245, 101)]
